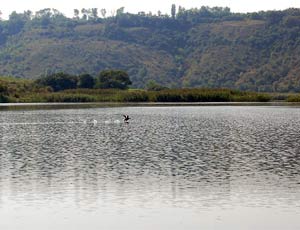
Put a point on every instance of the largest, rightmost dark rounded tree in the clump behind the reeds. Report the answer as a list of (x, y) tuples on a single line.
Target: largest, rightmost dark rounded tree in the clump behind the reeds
[(113, 79)]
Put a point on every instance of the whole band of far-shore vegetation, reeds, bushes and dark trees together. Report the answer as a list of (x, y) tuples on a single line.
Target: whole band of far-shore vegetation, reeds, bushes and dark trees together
[(113, 86)]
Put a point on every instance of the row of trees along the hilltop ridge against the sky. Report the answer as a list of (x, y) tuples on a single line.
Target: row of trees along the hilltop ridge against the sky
[(46, 16)]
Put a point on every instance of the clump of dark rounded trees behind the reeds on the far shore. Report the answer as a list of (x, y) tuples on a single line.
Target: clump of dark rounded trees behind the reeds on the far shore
[(107, 79)]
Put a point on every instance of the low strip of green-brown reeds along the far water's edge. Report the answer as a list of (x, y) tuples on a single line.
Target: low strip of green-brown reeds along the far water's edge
[(135, 95)]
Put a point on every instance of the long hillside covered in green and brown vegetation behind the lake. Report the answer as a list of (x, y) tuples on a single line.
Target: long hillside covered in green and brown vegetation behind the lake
[(205, 47)]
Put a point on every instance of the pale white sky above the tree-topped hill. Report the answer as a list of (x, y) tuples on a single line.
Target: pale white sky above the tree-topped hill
[(134, 6)]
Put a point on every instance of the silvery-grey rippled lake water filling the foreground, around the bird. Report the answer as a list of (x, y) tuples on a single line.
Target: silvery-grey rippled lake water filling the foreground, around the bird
[(224, 167)]
